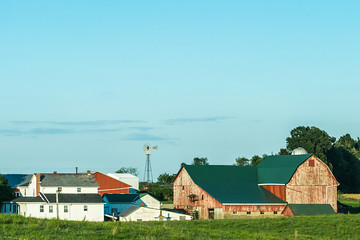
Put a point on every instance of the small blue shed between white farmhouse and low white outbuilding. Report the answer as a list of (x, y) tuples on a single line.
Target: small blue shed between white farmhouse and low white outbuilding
[(117, 203)]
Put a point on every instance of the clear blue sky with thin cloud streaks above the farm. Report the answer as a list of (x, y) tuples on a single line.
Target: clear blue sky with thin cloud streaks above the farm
[(86, 83)]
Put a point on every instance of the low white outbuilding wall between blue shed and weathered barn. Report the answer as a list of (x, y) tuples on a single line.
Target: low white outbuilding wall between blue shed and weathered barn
[(149, 214)]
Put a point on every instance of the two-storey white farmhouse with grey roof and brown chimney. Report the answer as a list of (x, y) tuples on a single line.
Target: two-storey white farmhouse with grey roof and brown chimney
[(78, 197)]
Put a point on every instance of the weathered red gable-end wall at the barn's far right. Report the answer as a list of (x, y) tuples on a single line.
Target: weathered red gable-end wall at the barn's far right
[(312, 184)]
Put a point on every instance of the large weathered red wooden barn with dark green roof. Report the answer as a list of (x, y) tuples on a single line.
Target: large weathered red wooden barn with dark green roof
[(232, 191)]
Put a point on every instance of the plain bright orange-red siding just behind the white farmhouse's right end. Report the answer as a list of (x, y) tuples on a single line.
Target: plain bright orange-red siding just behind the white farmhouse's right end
[(110, 185)]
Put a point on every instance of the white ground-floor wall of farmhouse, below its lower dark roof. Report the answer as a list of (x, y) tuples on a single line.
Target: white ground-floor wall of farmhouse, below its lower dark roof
[(75, 212)]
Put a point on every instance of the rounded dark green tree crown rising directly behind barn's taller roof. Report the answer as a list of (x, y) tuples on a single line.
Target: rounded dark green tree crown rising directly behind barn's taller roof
[(312, 139)]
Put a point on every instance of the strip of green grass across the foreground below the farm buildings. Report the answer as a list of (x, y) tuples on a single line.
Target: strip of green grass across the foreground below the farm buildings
[(337, 226)]
